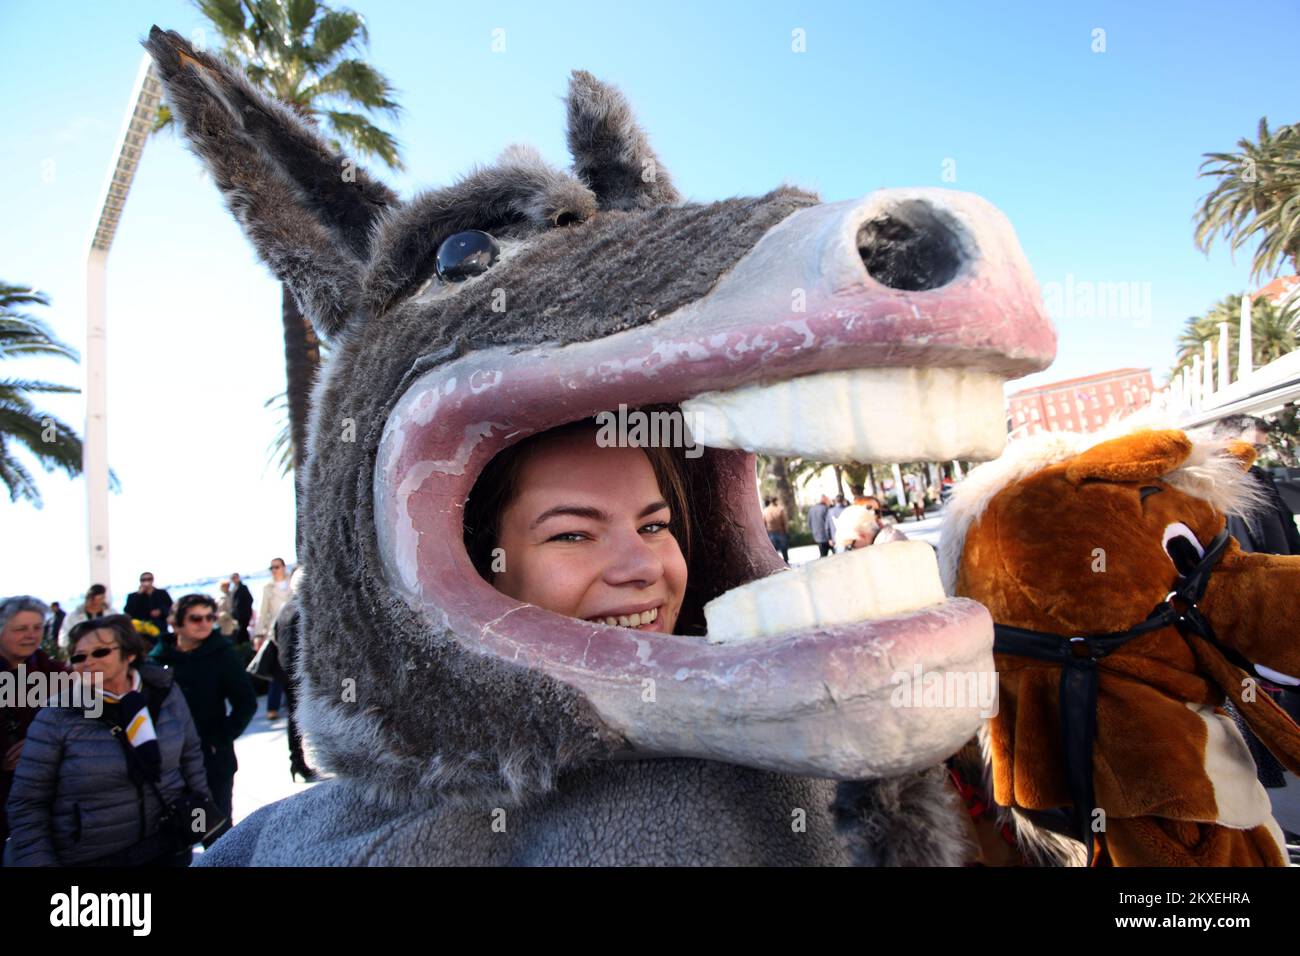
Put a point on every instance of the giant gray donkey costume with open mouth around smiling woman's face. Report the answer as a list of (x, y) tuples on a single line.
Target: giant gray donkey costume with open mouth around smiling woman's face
[(432, 695)]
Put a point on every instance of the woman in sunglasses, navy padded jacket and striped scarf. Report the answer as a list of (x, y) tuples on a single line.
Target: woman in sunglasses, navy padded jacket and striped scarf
[(80, 798)]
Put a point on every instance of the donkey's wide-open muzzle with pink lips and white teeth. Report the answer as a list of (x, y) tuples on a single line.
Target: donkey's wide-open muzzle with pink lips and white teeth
[(877, 331)]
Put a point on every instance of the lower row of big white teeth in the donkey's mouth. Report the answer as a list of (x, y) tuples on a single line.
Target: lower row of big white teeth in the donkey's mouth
[(877, 582)]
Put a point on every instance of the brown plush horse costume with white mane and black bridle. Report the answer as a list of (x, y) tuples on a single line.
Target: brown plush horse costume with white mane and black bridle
[(1065, 539)]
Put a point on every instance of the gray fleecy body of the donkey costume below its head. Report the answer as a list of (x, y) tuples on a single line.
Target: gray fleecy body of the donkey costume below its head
[(644, 814)]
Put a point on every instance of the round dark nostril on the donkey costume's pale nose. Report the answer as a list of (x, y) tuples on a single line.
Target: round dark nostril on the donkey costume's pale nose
[(912, 248)]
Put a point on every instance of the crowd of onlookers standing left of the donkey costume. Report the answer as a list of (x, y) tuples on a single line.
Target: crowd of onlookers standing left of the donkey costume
[(149, 773)]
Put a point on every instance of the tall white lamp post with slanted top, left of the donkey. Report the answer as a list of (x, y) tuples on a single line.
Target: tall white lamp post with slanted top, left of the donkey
[(146, 98)]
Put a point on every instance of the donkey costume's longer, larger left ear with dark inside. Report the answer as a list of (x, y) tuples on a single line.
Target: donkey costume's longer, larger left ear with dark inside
[(306, 209)]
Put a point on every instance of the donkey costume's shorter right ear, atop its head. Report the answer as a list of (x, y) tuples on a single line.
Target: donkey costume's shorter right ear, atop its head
[(610, 152)]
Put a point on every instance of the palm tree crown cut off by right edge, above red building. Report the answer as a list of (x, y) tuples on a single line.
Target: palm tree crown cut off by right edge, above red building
[(1258, 196)]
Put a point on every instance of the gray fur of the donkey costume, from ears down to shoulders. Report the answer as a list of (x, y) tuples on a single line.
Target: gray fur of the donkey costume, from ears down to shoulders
[(426, 738)]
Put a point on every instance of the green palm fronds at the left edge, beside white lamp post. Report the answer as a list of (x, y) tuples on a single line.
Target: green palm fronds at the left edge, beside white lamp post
[(54, 444)]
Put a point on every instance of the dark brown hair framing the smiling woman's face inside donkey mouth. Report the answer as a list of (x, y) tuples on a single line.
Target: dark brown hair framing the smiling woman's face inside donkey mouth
[(499, 486)]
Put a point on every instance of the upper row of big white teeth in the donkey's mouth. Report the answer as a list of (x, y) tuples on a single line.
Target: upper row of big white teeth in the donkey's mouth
[(861, 416)]
